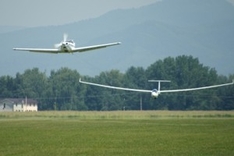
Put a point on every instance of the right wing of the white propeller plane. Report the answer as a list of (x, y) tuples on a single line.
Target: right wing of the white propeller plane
[(84, 49)]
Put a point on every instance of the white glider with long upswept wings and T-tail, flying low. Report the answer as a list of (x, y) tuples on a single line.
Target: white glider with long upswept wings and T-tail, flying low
[(155, 92)]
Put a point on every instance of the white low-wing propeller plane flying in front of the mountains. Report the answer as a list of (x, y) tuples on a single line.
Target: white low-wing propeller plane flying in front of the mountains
[(67, 46)]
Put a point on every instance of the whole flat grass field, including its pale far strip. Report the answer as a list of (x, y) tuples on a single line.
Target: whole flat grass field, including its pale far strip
[(117, 133)]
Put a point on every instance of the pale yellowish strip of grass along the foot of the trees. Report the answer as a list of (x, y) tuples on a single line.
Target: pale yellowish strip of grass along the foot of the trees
[(118, 114)]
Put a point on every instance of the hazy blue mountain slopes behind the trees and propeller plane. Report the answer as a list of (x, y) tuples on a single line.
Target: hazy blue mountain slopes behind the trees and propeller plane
[(201, 28)]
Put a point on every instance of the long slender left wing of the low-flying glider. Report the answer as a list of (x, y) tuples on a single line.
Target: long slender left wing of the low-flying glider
[(112, 87)]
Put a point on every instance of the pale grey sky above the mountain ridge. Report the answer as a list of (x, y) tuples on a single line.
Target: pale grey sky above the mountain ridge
[(34, 13)]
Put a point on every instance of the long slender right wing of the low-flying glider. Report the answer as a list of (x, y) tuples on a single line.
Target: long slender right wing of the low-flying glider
[(199, 88)]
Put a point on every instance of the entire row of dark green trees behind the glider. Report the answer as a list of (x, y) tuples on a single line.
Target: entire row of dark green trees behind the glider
[(61, 90)]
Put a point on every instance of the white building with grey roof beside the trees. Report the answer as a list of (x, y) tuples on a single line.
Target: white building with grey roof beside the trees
[(18, 104)]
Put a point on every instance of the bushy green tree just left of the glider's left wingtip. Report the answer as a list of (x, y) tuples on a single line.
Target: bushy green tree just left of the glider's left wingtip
[(65, 90)]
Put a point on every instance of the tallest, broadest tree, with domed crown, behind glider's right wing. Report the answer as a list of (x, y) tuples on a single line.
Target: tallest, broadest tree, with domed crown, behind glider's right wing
[(185, 72)]
